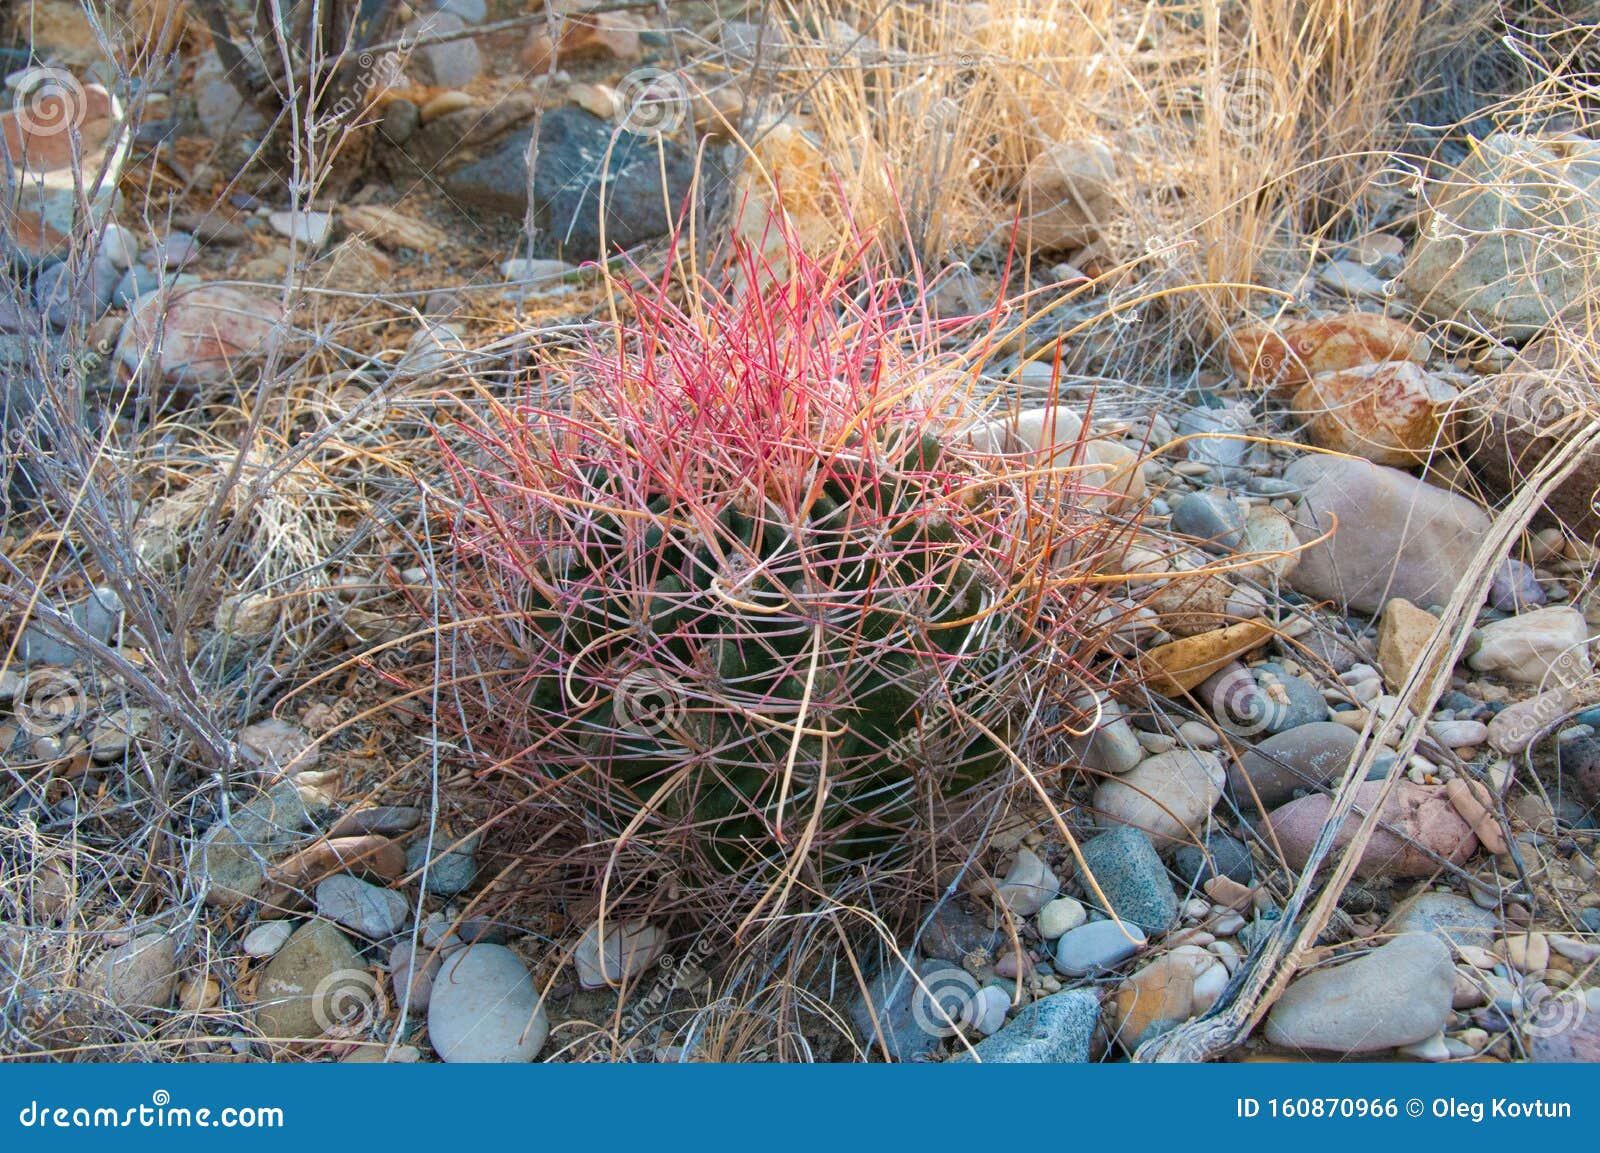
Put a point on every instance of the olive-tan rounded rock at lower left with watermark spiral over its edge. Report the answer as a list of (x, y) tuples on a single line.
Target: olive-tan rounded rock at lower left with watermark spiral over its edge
[(311, 984)]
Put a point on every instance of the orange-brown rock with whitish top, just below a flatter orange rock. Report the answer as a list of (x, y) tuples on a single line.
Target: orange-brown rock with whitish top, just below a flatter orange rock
[(1386, 413)]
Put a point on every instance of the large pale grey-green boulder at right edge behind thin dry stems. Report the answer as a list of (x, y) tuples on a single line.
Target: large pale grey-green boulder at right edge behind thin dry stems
[(1500, 244)]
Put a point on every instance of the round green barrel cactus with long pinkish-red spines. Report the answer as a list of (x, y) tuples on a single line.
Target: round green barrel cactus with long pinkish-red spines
[(748, 602)]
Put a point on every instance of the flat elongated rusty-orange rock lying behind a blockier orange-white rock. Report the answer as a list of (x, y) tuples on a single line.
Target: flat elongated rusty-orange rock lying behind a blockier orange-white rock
[(1287, 356)]
